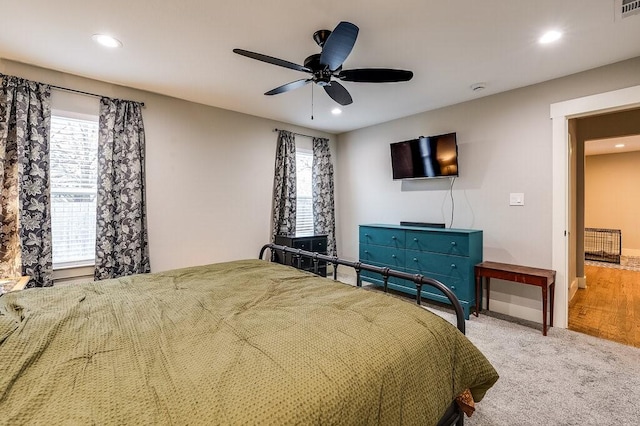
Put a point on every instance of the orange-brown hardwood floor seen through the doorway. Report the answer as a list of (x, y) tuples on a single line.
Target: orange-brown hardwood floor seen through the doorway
[(609, 307)]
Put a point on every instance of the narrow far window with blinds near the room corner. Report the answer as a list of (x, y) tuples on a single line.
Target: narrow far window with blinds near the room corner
[(304, 192)]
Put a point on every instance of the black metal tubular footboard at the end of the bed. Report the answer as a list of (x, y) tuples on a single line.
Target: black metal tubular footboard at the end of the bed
[(417, 279)]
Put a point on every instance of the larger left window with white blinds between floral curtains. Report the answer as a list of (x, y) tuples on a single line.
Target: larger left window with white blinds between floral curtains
[(73, 165)]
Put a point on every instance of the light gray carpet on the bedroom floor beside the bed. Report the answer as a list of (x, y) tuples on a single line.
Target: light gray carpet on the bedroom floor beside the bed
[(566, 378)]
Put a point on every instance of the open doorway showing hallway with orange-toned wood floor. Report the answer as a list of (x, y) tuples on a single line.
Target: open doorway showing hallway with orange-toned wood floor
[(607, 201)]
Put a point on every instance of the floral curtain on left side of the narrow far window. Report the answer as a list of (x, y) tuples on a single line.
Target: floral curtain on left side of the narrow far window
[(284, 186)]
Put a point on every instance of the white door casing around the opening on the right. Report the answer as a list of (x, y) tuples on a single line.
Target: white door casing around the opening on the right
[(560, 113)]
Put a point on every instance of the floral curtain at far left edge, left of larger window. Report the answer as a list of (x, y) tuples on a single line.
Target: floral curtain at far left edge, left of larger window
[(25, 211)]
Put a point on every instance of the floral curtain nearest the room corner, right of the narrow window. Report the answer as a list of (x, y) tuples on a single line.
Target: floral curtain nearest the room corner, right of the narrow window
[(324, 220)]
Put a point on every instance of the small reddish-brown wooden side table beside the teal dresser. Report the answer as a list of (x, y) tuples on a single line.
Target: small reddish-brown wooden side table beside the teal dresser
[(543, 278)]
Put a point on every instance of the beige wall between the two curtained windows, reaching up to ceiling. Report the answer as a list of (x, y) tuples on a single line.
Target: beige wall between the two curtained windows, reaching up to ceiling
[(209, 173)]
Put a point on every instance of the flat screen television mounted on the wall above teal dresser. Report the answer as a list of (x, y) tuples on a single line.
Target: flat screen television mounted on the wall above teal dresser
[(425, 157)]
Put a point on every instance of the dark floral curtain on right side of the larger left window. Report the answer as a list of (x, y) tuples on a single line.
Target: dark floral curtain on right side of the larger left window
[(121, 229)]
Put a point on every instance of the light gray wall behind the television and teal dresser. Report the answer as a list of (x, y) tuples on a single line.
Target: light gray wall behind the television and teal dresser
[(505, 145)]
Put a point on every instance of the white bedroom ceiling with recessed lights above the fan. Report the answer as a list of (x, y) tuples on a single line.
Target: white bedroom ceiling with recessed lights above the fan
[(183, 48)]
